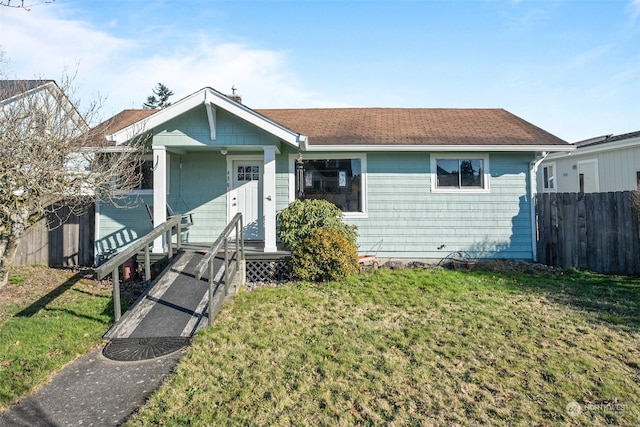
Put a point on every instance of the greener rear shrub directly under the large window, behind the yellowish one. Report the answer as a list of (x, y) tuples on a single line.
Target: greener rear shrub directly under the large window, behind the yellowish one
[(301, 217)]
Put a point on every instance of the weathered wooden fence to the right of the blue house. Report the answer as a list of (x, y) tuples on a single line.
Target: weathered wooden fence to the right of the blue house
[(596, 231)]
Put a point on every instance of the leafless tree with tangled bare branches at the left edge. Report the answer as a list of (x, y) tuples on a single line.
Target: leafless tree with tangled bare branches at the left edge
[(49, 158)]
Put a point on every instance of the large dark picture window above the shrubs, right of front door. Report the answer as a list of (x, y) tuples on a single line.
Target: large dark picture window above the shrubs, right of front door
[(338, 180)]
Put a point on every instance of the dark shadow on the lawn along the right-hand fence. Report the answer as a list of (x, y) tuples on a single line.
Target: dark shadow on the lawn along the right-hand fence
[(610, 299)]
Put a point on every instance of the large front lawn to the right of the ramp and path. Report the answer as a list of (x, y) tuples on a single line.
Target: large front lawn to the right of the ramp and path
[(417, 347)]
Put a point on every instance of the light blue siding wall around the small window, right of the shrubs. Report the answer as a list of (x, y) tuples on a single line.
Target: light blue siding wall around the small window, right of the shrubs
[(406, 220)]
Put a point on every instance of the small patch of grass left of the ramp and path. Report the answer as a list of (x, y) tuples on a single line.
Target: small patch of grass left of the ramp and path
[(47, 319)]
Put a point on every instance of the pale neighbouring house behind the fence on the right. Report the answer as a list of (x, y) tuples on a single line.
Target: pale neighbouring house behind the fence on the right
[(603, 164)]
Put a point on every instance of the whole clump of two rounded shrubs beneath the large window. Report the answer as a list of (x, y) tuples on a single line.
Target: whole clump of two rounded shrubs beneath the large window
[(322, 246)]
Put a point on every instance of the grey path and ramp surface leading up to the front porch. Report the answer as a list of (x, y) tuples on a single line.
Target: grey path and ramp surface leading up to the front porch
[(97, 391)]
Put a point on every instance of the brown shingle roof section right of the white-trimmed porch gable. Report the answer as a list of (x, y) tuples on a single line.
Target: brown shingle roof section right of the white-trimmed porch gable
[(411, 126)]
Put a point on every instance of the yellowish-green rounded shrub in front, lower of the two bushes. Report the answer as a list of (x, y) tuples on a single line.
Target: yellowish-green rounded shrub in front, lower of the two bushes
[(325, 254)]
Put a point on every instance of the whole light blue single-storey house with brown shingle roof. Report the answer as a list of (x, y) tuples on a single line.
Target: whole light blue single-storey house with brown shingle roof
[(418, 183)]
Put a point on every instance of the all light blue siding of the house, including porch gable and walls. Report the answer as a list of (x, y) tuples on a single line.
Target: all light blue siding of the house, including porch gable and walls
[(404, 218)]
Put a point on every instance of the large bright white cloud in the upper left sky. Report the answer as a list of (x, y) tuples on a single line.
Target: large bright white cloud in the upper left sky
[(43, 43)]
